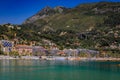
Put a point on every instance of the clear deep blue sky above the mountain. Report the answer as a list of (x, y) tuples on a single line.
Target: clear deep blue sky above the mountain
[(16, 11)]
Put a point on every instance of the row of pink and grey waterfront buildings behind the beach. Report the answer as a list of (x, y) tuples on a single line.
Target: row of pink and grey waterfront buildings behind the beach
[(13, 50)]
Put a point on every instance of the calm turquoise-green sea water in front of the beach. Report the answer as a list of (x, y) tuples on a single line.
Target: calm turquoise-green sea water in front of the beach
[(58, 70)]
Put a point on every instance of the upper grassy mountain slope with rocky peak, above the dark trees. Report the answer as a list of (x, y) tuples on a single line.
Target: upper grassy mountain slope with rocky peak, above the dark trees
[(80, 18)]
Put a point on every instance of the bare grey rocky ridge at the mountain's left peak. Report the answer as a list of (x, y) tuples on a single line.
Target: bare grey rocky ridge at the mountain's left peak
[(45, 12)]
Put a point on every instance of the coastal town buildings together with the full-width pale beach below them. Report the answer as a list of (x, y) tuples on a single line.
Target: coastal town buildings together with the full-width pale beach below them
[(16, 50)]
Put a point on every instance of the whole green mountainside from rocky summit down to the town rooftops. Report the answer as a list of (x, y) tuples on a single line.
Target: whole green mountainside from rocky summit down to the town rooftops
[(93, 26)]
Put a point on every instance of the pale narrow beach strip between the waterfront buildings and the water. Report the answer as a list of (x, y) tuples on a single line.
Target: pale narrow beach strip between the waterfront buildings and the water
[(2, 57)]
